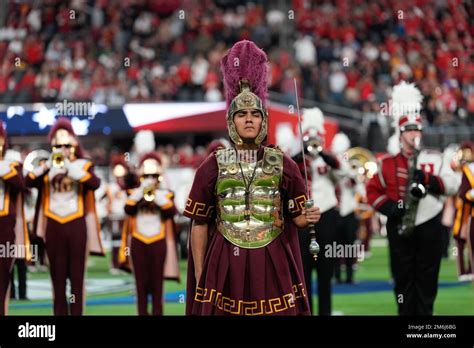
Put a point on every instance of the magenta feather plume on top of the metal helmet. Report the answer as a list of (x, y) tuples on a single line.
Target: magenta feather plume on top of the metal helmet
[(245, 61)]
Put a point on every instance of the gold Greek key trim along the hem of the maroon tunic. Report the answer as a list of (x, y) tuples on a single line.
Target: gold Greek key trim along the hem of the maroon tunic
[(257, 307)]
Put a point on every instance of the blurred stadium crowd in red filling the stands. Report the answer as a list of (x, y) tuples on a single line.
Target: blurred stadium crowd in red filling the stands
[(112, 51)]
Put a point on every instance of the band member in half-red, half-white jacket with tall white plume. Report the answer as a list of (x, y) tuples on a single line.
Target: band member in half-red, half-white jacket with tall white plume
[(411, 198)]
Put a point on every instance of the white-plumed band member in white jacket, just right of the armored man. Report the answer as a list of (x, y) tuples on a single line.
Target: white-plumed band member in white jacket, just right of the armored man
[(323, 175)]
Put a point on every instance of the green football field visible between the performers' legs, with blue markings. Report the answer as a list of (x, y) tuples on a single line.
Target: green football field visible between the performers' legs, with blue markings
[(371, 295)]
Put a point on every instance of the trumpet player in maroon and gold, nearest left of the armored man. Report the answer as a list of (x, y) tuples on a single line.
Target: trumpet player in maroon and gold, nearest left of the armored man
[(148, 239)]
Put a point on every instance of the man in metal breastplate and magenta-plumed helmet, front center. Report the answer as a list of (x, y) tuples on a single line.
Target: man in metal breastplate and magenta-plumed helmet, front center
[(245, 203)]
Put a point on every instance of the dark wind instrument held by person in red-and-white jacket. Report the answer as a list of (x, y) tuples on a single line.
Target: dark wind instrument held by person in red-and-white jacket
[(415, 192)]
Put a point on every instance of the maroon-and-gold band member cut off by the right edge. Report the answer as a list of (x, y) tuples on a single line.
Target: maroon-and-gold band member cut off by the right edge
[(463, 228)]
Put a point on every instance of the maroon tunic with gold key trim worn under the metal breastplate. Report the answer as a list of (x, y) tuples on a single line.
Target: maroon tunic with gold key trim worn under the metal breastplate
[(263, 281)]
